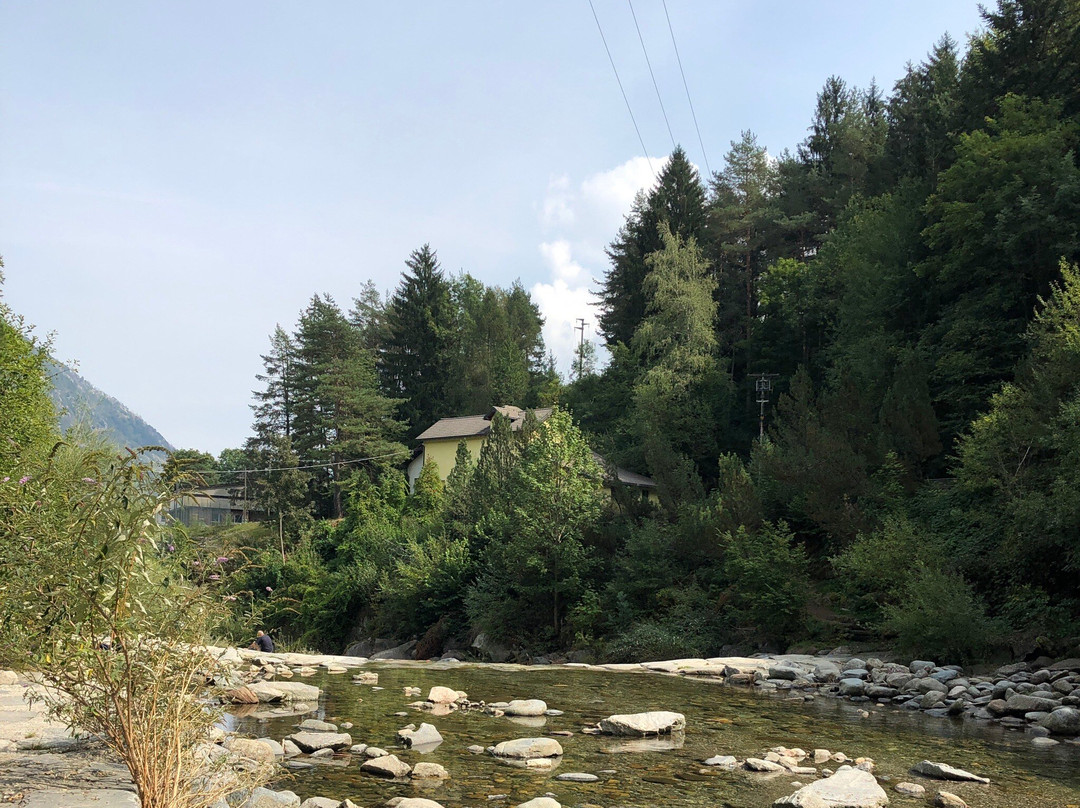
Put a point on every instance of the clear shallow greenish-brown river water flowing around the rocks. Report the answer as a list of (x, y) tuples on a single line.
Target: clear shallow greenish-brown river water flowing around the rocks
[(720, 721)]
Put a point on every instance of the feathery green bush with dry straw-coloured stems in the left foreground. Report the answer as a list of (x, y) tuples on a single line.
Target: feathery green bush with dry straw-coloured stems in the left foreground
[(97, 603)]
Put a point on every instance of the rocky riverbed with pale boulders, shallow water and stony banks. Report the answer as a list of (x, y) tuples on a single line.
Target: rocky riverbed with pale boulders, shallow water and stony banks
[(454, 735)]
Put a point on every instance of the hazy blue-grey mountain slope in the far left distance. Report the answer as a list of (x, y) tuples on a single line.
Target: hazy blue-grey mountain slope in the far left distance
[(80, 402)]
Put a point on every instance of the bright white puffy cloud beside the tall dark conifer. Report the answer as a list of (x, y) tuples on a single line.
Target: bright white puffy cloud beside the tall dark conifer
[(583, 220)]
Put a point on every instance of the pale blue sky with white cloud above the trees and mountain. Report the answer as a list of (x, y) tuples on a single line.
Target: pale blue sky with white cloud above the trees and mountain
[(177, 179)]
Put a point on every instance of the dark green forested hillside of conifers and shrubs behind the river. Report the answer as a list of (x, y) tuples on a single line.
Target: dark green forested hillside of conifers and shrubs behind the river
[(907, 277)]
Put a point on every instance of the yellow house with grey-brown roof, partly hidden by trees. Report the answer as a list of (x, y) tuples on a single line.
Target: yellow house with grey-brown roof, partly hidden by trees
[(439, 445)]
